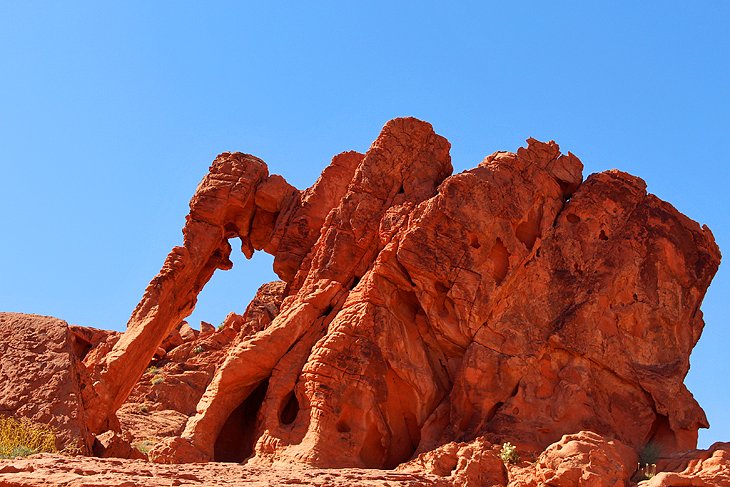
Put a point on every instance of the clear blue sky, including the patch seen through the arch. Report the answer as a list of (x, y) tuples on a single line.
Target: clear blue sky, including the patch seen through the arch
[(112, 112)]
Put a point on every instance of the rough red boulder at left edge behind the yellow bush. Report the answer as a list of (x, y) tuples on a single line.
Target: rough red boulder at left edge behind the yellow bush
[(39, 377)]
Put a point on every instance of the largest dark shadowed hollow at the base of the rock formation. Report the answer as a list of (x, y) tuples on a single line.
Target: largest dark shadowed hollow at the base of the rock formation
[(237, 438)]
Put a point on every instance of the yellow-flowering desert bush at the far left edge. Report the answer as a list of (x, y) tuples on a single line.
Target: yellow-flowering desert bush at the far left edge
[(22, 437)]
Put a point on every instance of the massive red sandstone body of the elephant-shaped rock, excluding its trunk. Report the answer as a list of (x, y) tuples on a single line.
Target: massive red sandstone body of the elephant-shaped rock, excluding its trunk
[(510, 300)]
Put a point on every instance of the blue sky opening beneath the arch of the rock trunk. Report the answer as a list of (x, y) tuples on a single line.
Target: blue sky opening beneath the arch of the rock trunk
[(232, 290)]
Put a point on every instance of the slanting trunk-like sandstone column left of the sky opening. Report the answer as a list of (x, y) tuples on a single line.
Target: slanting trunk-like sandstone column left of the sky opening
[(222, 207)]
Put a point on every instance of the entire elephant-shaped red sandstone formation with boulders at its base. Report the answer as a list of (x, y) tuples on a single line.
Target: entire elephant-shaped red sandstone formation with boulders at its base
[(422, 319)]
